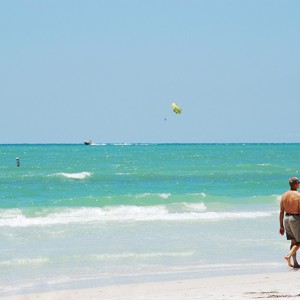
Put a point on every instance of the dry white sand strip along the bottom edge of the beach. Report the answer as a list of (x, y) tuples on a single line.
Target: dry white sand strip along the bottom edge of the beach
[(263, 286)]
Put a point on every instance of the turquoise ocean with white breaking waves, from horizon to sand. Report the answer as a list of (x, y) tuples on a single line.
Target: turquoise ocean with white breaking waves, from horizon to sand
[(77, 216)]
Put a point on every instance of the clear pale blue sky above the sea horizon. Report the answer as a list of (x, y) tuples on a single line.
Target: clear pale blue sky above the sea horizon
[(109, 70)]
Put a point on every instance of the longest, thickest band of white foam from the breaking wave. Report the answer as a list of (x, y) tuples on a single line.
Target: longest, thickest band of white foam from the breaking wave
[(125, 213)]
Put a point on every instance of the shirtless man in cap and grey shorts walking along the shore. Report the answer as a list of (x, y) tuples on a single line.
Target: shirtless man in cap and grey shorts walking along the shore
[(289, 219)]
